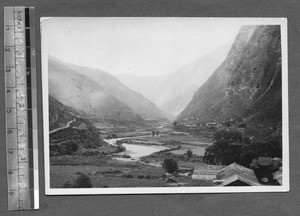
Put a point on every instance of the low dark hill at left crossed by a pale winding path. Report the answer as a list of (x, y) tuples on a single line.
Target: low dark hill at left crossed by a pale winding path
[(69, 132)]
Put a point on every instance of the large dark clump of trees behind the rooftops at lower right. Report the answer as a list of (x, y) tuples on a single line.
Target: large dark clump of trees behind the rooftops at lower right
[(229, 147)]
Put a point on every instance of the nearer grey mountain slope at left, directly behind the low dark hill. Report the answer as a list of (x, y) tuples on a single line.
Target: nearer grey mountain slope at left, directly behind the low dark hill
[(88, 98)]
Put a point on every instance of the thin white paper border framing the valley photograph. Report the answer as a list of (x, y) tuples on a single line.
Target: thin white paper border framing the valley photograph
[(285, 187)]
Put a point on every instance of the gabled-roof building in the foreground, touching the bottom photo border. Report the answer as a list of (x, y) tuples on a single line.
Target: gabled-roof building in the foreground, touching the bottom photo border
[(236, 175)]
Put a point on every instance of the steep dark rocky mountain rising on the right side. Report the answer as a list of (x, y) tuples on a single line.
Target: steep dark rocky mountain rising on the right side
[(246, 87)]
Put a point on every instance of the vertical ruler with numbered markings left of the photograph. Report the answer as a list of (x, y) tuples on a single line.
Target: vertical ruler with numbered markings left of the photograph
[(21, 108)]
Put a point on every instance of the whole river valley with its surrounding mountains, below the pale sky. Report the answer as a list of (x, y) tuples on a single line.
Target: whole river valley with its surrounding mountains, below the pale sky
[(223, 108)]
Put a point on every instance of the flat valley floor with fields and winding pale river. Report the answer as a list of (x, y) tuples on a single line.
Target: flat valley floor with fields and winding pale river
[(132, 169)]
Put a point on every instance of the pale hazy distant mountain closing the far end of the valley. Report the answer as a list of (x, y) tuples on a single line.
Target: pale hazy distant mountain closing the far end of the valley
[(172, 92)]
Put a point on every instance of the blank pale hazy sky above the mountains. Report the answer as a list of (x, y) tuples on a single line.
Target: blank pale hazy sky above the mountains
[(140, 46)]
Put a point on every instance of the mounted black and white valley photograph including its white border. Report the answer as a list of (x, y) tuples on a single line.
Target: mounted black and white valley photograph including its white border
[(141, 105)]
